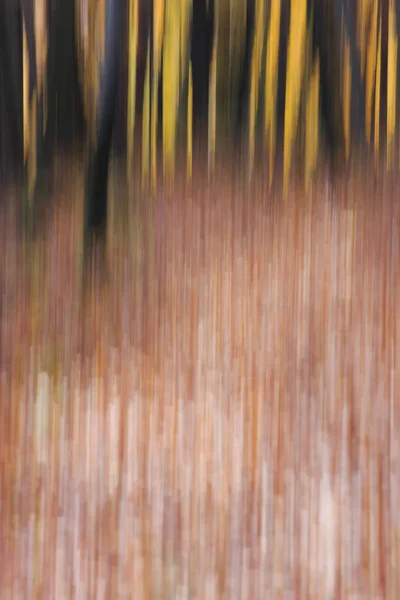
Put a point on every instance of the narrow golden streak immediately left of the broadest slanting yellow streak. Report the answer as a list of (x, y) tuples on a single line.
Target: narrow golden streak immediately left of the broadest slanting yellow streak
[(271, 81)]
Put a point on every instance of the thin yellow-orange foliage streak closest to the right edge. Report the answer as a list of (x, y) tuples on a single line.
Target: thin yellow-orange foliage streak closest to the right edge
[(391, 84)]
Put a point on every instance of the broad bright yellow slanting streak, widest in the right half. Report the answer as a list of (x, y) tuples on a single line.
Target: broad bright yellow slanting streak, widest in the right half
[(294, 76)]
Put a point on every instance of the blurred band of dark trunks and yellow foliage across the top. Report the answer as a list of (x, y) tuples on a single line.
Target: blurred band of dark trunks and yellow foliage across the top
[(271, 66)]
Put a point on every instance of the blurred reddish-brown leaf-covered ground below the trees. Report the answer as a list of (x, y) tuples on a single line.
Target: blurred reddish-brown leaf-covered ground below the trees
[(217, 416)]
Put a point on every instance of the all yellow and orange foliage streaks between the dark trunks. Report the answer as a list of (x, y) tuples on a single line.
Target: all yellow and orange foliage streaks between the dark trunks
[(170, 39)]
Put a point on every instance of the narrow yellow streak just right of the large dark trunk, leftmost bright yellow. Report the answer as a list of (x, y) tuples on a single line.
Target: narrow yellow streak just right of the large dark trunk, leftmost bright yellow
[(132, 59)]
